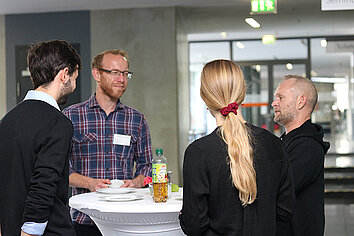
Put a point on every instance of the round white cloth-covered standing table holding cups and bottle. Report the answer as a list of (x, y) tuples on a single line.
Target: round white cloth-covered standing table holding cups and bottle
[(138, 217)]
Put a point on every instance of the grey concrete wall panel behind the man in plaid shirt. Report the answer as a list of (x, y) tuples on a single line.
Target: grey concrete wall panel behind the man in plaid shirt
[(149, 37)]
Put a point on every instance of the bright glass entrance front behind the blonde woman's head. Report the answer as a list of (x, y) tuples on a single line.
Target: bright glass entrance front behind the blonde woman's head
[(263, 65)]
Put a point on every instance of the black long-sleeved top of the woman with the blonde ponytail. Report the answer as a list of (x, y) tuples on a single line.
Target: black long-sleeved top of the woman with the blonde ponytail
[(211, 204)]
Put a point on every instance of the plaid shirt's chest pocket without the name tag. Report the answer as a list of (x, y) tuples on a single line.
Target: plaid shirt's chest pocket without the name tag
[(85, 145)]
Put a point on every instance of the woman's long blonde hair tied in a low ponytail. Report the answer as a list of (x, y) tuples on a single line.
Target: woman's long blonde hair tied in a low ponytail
[(222, 83)]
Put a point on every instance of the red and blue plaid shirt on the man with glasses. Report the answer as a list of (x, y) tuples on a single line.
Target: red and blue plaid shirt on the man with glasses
[(95, 155)]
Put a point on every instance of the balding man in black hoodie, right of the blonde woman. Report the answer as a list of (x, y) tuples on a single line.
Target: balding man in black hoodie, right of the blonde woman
[(295, 100)]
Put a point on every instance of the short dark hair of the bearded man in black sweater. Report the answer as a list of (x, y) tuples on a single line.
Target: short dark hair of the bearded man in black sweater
[(46, 59)]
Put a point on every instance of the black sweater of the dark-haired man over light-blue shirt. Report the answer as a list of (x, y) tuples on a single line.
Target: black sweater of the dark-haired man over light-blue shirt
[(35, 141)]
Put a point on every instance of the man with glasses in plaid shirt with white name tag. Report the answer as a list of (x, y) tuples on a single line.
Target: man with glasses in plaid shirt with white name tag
[(110, 140)]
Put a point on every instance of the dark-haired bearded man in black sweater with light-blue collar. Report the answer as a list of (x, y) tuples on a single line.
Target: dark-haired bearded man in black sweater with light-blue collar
[(35, 142)]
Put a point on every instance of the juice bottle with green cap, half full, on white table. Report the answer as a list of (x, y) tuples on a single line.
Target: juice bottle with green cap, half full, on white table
[(159, 177)]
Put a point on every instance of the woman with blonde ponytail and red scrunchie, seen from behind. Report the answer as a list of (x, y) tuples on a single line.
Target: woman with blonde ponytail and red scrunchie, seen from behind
[(236, 179)]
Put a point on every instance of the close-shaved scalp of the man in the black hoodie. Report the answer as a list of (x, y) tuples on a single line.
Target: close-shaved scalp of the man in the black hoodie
[(304, 86)]
